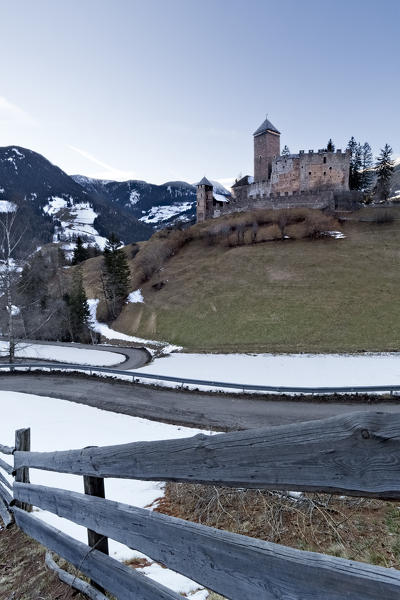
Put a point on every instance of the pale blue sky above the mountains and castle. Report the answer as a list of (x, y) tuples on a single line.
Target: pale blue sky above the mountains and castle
[(173, 89)]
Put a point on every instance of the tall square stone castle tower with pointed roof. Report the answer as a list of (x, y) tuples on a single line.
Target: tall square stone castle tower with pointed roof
[(267, 146)]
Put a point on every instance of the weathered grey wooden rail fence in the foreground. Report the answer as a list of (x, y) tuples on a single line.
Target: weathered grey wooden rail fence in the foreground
[(356, 454)]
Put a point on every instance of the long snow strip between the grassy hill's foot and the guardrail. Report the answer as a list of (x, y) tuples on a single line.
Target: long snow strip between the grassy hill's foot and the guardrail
[(291, 370)]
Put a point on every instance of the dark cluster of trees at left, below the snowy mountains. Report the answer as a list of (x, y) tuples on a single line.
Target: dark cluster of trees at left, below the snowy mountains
[(45, 300)]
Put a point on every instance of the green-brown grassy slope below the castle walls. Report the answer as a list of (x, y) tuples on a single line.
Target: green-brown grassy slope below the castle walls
[(303, 295)]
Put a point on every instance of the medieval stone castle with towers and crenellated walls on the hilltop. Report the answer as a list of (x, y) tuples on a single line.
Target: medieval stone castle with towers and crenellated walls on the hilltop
[(308, 179)]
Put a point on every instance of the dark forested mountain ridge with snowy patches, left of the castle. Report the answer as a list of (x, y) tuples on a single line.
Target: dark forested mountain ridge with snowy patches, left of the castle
[(55, 206)]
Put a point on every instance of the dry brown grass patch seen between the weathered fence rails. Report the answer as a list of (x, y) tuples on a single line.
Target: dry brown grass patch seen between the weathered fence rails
[(358, 529)]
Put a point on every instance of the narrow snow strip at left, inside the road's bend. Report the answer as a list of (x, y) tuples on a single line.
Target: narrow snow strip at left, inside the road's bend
[(66, 354)]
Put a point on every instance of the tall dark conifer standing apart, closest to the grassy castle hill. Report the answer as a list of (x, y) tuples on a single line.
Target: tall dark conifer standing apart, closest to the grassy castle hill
[(115, 276)]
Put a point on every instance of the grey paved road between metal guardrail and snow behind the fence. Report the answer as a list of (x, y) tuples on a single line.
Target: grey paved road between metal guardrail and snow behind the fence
[(215, 411)]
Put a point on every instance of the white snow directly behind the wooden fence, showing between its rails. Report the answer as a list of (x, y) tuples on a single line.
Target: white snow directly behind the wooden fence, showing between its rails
[(62, 425)]
